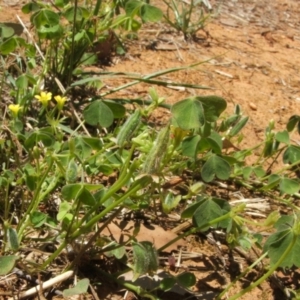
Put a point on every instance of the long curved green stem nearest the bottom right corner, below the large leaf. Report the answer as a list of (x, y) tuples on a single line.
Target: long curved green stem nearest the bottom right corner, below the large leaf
[(271, 270)]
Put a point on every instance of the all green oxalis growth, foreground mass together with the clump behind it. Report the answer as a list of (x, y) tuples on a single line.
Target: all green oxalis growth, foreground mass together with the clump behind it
[(52, 180)]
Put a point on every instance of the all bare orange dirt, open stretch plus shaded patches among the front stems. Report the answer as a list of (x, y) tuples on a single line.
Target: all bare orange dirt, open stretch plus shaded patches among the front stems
[(252, 49)]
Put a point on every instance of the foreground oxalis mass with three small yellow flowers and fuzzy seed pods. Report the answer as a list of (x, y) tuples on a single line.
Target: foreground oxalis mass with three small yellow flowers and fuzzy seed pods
[(64, 164)]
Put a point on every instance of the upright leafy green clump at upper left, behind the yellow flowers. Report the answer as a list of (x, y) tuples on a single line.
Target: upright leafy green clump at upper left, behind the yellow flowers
[(74, 34)]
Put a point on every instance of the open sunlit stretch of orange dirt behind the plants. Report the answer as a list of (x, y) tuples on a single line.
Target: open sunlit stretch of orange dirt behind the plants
[(253, 47)]
